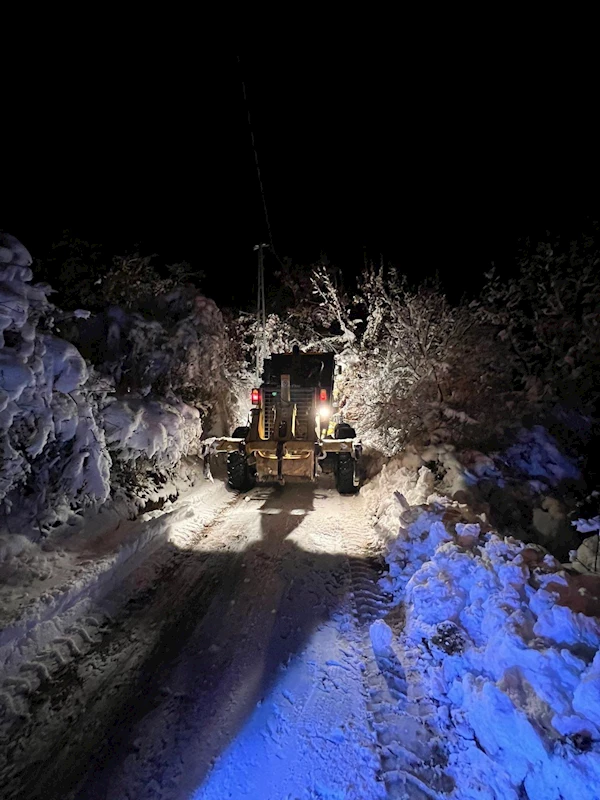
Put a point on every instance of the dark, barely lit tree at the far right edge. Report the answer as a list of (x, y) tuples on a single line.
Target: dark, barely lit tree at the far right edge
[(549, 316)]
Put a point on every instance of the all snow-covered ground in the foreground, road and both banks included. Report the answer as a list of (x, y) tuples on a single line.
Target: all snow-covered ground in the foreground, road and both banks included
[(250, 646)]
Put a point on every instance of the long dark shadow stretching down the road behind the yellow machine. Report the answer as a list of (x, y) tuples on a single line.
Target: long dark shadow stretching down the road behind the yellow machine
[(228, 623)]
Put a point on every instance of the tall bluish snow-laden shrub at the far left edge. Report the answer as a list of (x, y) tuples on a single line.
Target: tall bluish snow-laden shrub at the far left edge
[(53, 452)]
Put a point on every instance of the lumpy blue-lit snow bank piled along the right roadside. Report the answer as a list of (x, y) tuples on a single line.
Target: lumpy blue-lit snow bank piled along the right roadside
[(507, 644)]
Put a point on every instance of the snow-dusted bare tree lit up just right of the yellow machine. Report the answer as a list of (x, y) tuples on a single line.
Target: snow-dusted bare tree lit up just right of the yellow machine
[(423, 368)]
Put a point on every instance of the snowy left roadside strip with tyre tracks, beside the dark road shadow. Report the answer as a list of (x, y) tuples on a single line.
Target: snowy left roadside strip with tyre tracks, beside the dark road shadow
[(57, 601)]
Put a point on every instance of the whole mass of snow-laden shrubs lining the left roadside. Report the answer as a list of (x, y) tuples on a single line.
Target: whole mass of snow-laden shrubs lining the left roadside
[(71, 430)]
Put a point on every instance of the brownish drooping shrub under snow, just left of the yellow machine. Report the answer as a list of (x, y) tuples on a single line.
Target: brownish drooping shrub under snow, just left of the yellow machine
[(174, 347)]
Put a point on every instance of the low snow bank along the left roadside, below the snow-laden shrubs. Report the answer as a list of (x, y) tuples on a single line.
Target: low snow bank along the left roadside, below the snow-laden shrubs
[(67, 575)]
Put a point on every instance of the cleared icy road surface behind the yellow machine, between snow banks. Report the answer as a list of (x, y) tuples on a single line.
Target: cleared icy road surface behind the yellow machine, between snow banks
[(234, 666)]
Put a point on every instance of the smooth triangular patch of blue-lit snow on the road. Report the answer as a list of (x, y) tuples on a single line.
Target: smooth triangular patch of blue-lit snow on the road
[(309, 738)]
